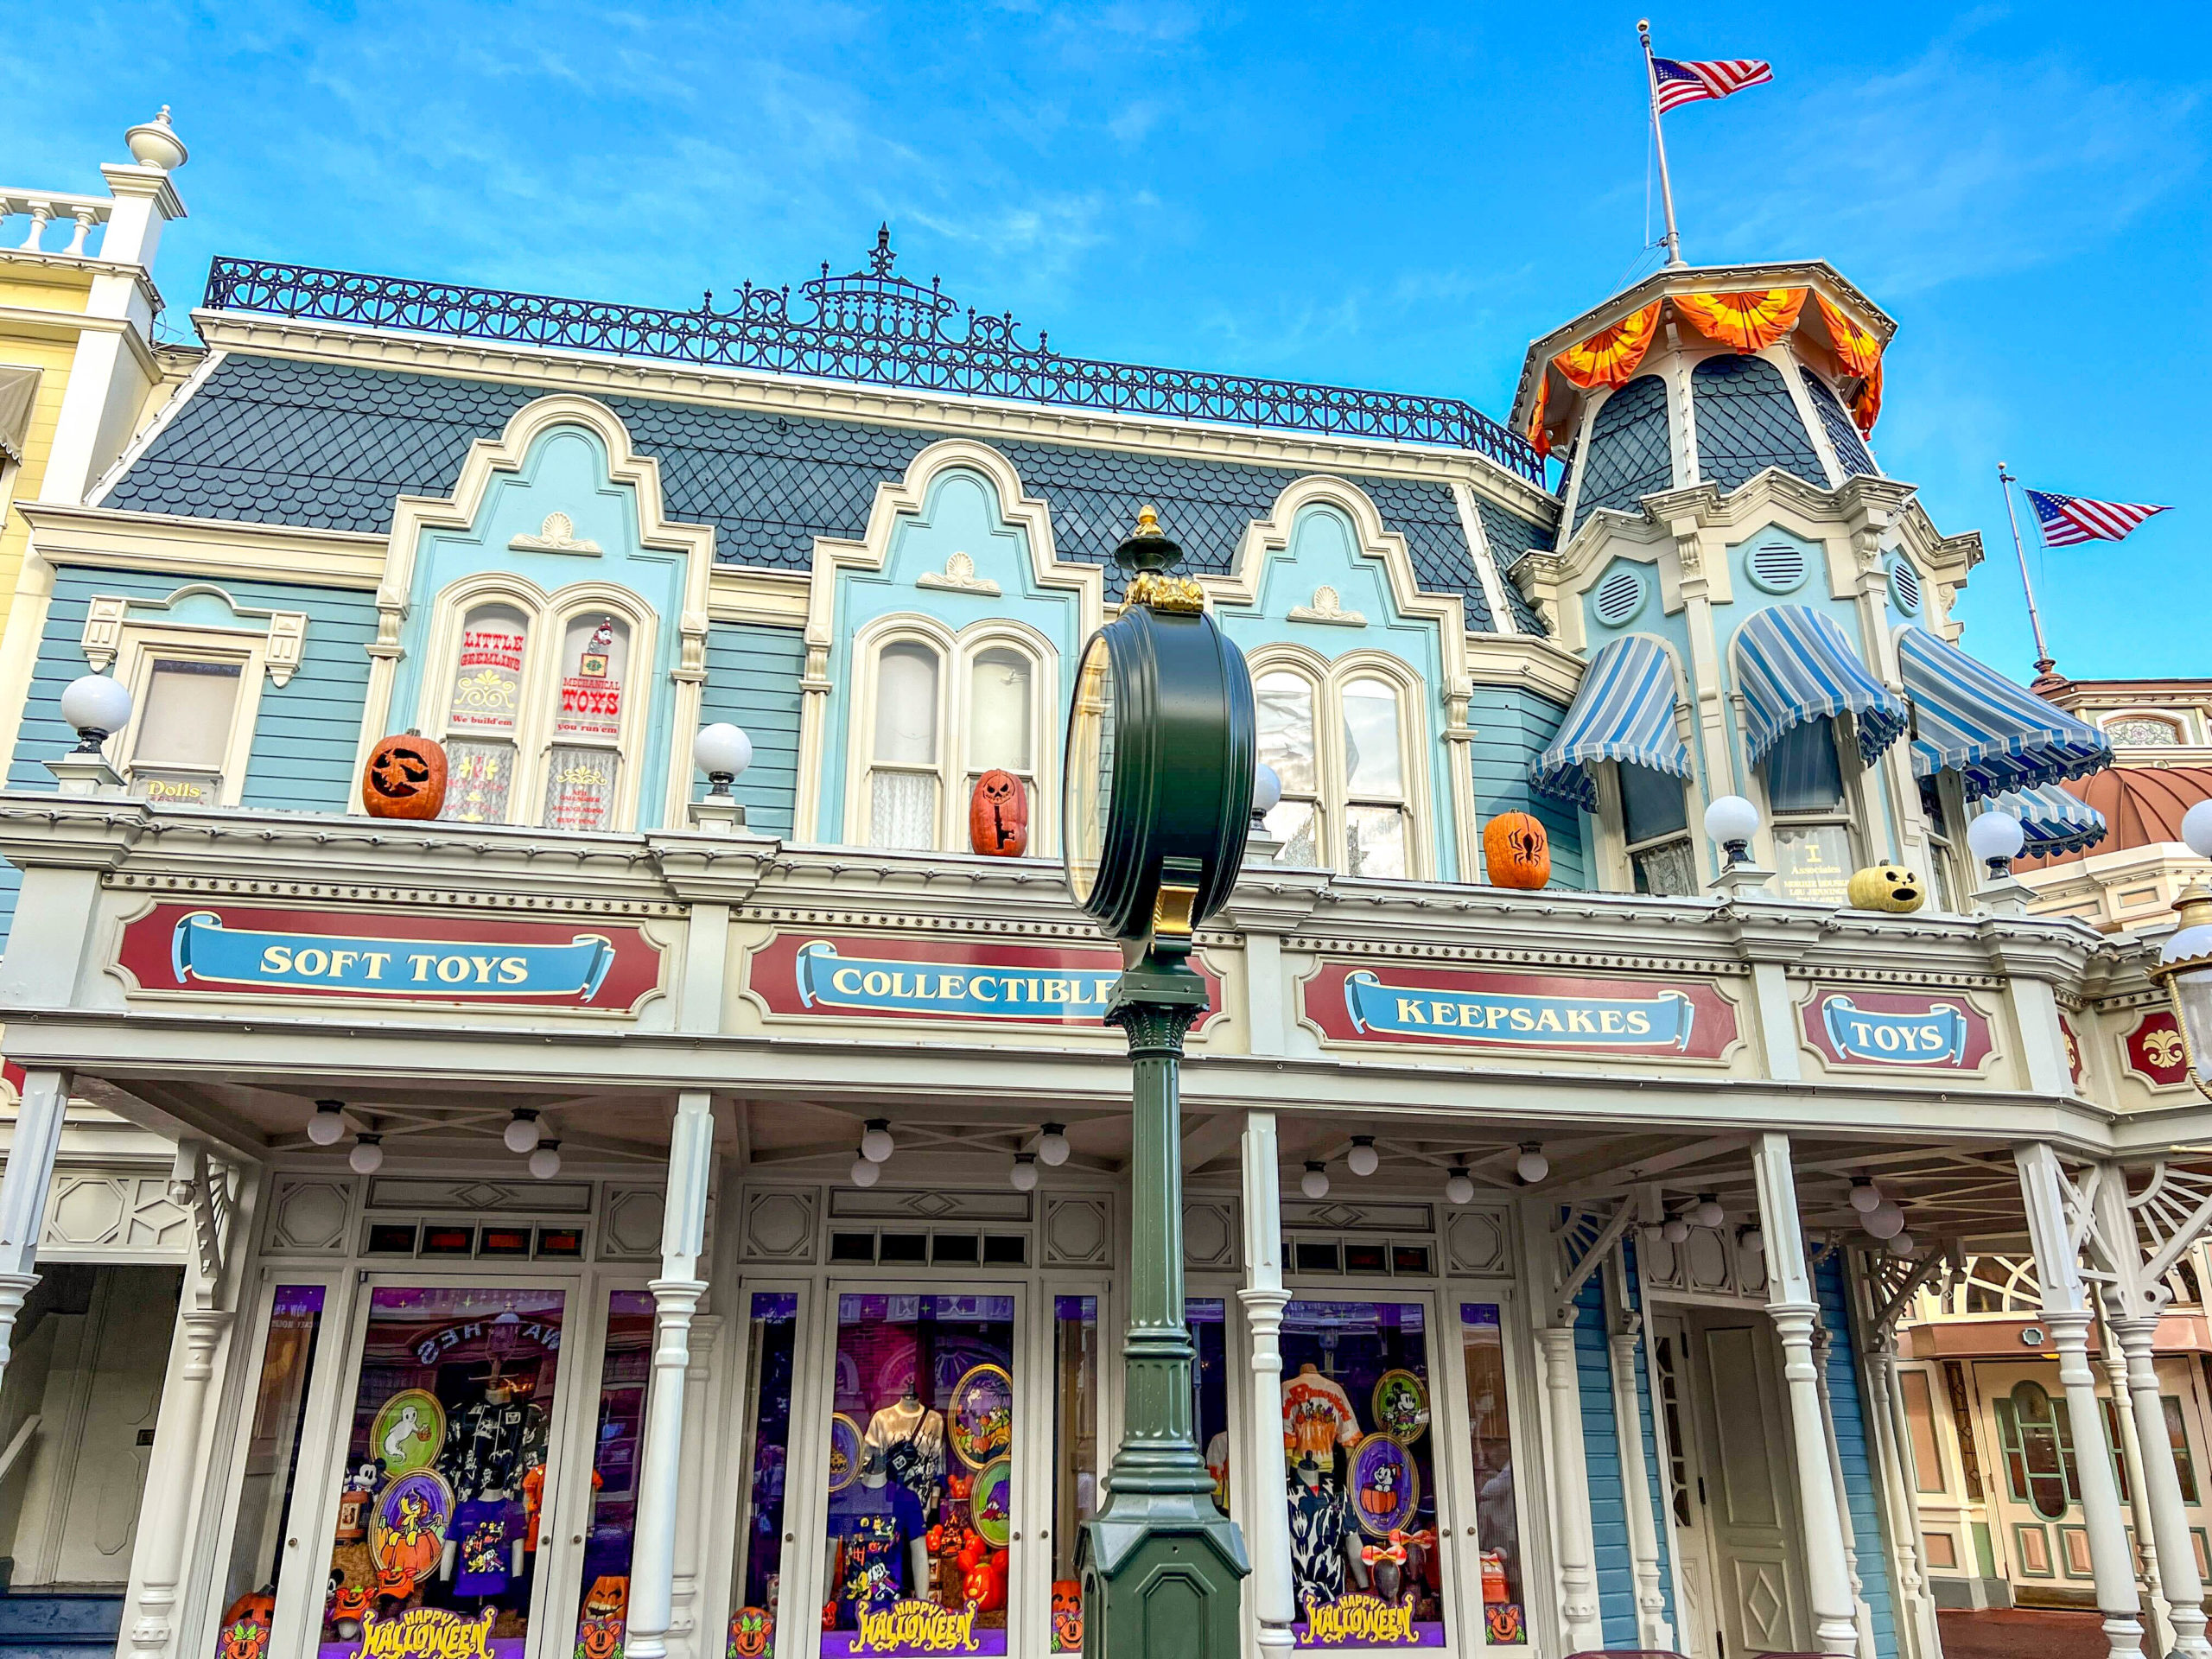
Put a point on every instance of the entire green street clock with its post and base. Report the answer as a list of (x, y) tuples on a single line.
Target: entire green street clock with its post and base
[(1158, 804)]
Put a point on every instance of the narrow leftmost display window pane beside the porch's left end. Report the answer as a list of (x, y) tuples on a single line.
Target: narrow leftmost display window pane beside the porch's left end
[(273, 1439)]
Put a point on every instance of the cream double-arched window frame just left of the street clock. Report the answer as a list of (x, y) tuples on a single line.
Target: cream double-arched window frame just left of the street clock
[(957, 667)]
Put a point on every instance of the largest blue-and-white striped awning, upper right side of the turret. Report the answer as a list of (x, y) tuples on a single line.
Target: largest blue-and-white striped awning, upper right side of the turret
[(1976, 722)]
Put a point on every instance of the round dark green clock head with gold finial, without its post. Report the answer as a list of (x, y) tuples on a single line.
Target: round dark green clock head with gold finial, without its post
[(1160, 758)]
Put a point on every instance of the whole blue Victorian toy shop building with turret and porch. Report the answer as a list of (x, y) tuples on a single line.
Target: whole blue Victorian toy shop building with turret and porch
[(629, 1211)]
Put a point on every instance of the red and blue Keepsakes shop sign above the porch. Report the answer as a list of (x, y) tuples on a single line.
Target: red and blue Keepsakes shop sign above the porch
[(1534, 1012)]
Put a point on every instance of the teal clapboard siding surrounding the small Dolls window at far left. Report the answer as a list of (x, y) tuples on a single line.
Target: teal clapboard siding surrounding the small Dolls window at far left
[(304, 733)]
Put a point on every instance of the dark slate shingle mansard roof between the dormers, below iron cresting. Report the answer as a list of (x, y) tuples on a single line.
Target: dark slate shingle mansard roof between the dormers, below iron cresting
[(331, 446)]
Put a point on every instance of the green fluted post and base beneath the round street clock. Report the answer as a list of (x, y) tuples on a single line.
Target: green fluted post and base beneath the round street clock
[(1160, 1563)]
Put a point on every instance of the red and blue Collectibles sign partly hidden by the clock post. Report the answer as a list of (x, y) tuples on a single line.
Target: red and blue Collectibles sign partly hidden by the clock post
[(961, 981)]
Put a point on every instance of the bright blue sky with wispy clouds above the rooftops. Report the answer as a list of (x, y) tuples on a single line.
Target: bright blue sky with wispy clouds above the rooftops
[(1392, 198)]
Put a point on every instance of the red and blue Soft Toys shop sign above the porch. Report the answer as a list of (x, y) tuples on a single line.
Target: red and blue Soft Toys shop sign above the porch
[(233, 950)]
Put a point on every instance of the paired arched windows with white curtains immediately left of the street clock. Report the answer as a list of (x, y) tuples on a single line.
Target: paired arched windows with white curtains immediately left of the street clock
[(937, 713)]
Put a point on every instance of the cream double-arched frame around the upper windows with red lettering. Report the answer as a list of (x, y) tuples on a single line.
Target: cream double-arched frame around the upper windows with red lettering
[(547, 618)]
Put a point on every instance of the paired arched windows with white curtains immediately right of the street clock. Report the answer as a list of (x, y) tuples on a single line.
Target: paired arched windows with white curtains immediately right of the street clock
[(1339, 742)]
